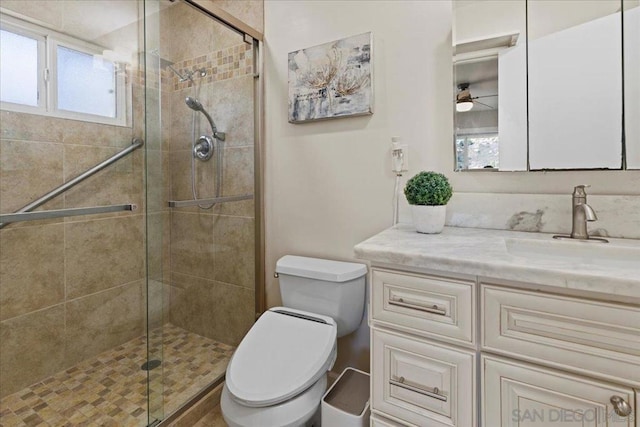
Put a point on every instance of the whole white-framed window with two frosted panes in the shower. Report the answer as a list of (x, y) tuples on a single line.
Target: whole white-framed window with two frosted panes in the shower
[(48, 73)]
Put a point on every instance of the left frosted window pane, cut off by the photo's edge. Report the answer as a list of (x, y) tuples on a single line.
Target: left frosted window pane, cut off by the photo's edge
[(18, 69)]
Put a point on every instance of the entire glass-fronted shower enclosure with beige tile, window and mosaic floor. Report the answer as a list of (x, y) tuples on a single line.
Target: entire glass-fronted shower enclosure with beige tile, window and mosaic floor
[(130, 263)]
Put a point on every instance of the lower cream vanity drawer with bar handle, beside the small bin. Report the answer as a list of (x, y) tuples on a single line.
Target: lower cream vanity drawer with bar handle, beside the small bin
[(422, 383)]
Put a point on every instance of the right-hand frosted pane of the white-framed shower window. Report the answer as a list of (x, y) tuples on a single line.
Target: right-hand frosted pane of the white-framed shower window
[(86, 84)]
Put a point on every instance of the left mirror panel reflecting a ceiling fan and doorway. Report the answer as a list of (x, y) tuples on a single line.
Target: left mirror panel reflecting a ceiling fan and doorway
[(490, 69)]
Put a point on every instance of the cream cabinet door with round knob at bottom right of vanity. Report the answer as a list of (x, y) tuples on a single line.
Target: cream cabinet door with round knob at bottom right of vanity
[(515, 394)]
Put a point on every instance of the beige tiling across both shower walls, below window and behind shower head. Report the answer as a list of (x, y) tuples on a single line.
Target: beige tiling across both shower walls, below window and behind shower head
[(74, 287)]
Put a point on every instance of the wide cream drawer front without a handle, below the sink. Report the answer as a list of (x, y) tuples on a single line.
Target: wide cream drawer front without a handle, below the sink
[(590, 337)]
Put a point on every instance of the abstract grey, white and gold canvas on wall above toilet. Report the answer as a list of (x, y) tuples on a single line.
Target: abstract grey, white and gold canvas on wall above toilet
[(331, 80)]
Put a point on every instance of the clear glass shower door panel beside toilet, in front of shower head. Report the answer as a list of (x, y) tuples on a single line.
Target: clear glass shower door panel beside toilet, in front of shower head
[(201, 86)]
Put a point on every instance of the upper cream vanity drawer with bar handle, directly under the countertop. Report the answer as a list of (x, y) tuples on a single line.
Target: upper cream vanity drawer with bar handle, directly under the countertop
[(425, 305)]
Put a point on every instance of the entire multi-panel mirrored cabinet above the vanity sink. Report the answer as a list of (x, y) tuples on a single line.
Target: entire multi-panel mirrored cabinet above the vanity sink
[(569, 55)]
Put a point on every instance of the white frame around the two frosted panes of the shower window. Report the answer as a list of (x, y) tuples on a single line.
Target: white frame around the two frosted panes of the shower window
[(48, 43)]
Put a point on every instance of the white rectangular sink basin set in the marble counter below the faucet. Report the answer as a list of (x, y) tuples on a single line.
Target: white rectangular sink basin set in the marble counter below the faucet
[(607, 254)]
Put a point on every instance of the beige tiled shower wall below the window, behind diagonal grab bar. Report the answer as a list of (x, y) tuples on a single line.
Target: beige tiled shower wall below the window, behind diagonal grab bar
[(74, 287)]
